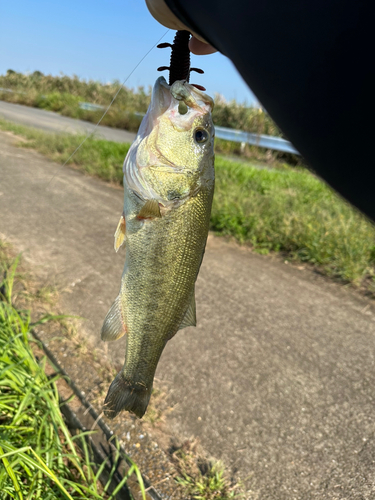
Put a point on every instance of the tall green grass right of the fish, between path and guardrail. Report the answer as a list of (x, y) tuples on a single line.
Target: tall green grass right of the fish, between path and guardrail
[(295, 212)]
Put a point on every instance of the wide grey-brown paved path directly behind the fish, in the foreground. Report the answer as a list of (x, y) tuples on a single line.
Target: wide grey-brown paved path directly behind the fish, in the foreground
[(277, 379)]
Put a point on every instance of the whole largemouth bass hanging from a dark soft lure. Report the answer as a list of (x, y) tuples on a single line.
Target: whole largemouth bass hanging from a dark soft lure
[(168, 189)]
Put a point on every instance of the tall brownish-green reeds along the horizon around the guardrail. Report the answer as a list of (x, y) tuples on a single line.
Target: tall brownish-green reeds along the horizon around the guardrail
[(63, 94)]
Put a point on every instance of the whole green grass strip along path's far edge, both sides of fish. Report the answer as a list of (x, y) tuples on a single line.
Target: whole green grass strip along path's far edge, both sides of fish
[(287, 210)]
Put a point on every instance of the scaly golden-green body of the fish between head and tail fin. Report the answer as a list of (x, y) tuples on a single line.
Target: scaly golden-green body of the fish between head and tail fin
[(164, 283)]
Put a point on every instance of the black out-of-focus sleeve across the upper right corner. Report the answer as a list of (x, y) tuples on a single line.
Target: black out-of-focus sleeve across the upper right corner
[(310, 64)]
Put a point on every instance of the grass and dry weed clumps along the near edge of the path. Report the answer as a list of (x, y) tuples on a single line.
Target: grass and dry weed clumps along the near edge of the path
[(39, 456)]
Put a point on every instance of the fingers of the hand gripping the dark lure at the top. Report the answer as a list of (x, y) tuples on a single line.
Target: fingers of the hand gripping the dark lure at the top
[(161, 12)]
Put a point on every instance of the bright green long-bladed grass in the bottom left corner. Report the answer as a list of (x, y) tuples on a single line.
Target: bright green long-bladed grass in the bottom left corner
[(39, 458)]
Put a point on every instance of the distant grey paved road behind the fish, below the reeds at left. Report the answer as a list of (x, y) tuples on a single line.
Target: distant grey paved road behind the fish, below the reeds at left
[(53, 122)]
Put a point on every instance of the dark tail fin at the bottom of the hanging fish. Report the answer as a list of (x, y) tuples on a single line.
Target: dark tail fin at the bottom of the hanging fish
[(126, 395)]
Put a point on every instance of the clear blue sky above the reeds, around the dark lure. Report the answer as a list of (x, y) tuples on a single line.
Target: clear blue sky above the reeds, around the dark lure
[(101, 40)]
